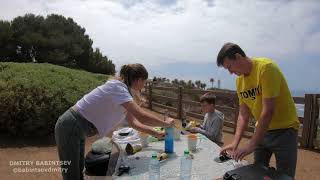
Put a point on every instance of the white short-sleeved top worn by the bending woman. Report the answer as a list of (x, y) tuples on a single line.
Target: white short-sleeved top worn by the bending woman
[(103, 105)]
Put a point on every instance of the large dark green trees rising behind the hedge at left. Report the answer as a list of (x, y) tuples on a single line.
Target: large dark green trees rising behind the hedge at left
[(52, 39)]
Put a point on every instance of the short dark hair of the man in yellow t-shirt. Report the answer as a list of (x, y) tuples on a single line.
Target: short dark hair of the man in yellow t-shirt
[(229, 50)]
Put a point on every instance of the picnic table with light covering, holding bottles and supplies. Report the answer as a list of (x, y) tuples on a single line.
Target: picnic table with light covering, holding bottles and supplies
[(203, 164)]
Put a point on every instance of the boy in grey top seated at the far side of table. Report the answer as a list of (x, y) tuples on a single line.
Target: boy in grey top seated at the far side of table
[(213, 120)]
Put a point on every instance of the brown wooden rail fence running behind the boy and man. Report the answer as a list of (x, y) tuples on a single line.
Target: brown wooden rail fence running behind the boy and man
[(309, 123)]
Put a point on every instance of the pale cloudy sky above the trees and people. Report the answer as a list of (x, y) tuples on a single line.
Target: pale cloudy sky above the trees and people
[(181, 38)]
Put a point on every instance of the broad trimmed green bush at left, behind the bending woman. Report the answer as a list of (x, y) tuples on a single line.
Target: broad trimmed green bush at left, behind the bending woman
[(33, 96)]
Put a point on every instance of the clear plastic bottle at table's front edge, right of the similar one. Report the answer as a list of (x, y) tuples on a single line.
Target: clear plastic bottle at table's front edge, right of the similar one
[(185, 166)]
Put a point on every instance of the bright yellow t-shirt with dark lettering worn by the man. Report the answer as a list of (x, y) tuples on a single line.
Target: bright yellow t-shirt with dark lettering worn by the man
[(267, 81)]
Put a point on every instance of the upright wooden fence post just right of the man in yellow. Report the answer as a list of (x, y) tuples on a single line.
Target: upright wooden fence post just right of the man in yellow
[(307, 120)]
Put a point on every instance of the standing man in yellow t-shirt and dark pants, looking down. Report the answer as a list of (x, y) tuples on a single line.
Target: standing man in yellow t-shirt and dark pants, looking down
[(263, 93)]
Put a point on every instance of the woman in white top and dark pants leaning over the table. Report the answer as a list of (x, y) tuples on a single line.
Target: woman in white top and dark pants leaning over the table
[(105, 107)]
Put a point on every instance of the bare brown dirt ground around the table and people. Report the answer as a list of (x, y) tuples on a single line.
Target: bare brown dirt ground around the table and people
[(13, 151)]
